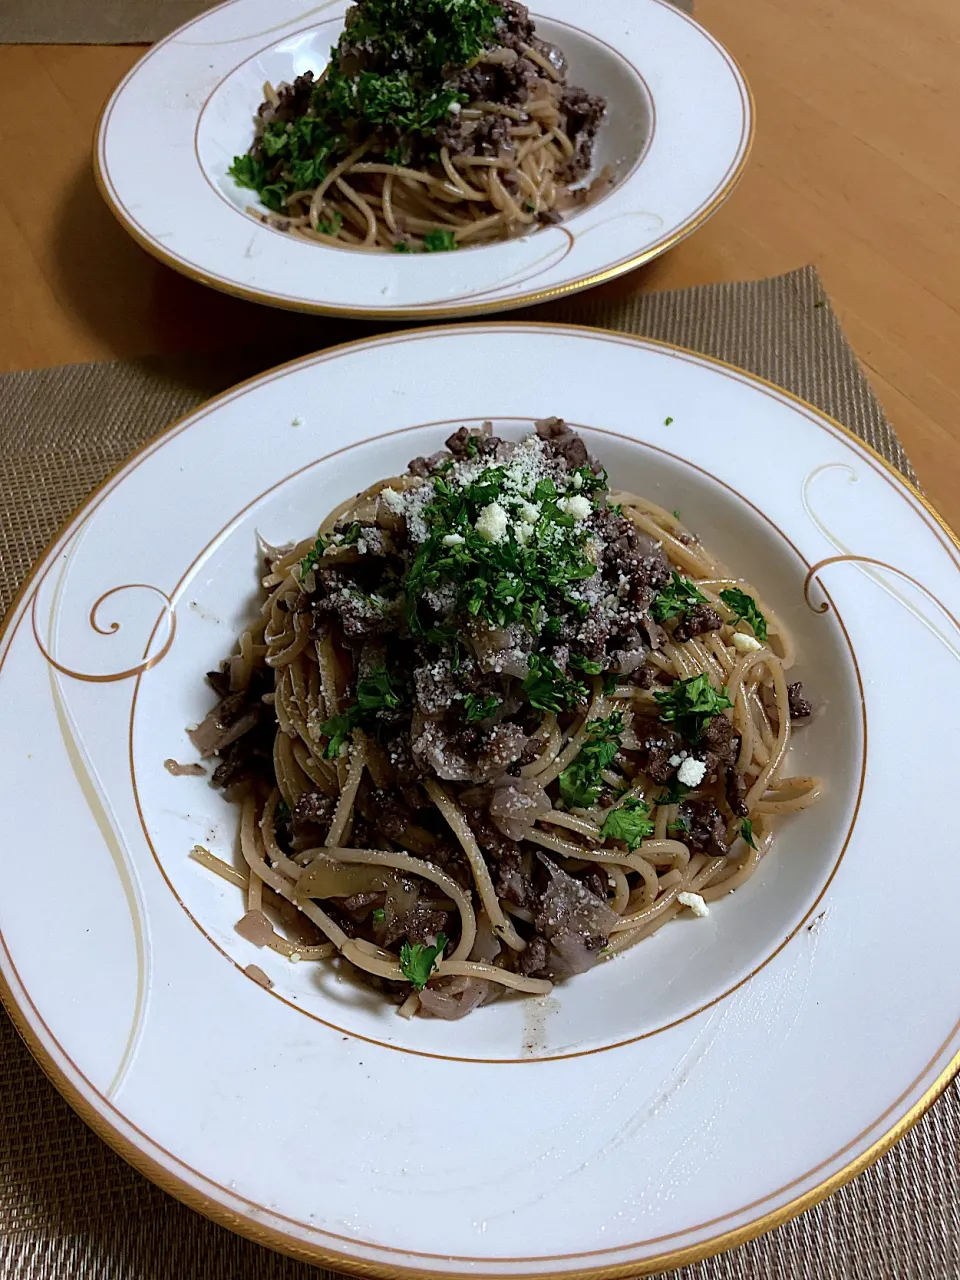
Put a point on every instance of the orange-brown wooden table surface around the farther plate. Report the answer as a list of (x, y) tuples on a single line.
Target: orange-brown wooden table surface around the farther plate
[(856, 168)]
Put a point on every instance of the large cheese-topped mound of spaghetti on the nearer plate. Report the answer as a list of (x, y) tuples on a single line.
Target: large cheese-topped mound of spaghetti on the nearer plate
[(496, 724)]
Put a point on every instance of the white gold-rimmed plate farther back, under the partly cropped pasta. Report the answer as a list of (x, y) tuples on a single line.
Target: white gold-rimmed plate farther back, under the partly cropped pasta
[(678, 135)]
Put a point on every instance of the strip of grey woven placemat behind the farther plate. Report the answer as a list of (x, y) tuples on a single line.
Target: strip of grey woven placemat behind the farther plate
[(113, 22)]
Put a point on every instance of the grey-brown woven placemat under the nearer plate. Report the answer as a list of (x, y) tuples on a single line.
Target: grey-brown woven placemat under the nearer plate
[(70, 1208)]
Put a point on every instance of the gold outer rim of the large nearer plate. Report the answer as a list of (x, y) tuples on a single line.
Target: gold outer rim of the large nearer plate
[(276, 1238)]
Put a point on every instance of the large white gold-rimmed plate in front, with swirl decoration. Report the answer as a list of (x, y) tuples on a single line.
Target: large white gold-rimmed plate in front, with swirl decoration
[(688, 1095)]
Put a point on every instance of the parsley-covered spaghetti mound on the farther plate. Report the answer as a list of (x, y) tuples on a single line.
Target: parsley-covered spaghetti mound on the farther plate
[(436, 125)]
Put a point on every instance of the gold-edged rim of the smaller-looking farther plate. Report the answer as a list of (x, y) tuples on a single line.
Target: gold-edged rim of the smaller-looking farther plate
[(304, 307)]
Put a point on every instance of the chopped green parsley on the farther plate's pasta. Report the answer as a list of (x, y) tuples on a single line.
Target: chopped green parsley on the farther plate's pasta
[(417, 45)]
